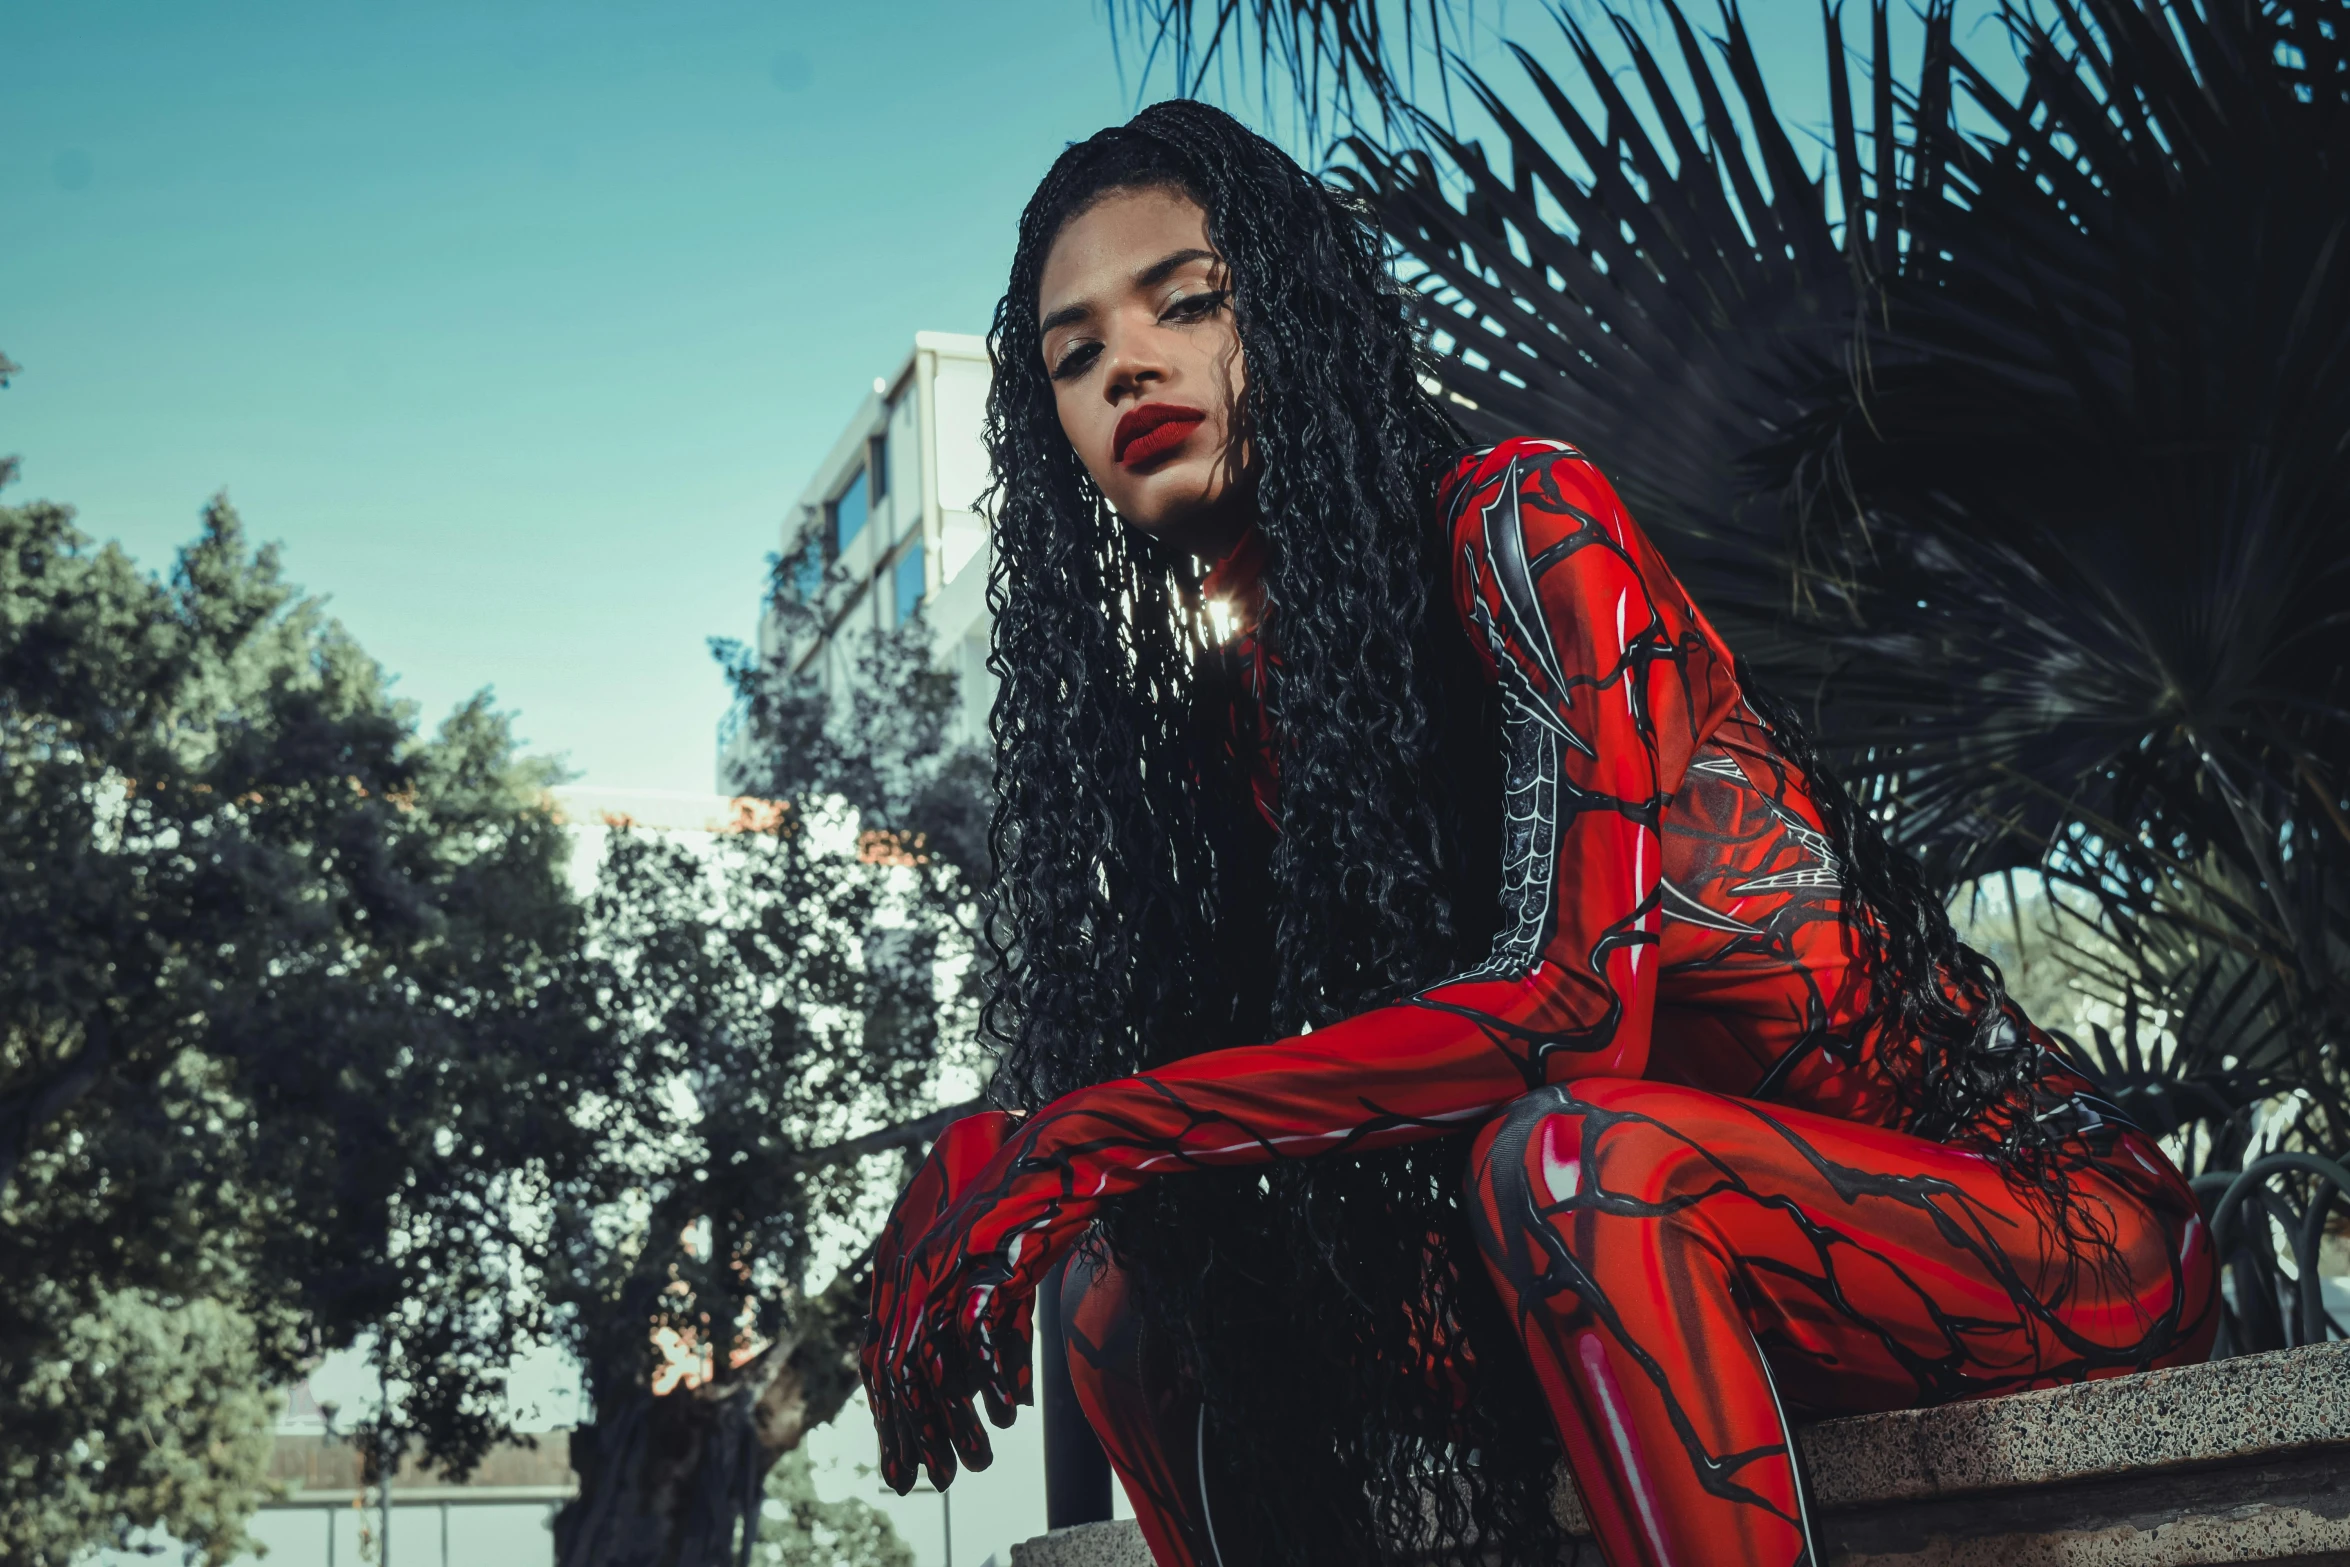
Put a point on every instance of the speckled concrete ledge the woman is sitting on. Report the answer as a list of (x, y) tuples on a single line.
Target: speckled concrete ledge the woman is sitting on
[(2196, 1467)]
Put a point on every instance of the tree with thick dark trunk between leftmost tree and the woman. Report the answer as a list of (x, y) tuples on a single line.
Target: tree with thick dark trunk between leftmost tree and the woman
[(777, 1004)]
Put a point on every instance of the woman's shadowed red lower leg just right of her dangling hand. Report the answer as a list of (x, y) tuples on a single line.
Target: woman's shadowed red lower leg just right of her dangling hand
[(1143, 1408)]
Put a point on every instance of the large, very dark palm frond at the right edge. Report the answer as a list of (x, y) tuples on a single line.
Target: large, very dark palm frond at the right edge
[(2097, 492)]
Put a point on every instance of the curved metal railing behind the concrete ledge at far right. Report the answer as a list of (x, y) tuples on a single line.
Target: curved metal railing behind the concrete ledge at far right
[(2264, 1216)]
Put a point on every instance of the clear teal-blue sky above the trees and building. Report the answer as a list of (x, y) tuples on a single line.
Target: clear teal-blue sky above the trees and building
[(521, 323)]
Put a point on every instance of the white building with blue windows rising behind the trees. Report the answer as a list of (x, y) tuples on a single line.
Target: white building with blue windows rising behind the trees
[(897, 506)]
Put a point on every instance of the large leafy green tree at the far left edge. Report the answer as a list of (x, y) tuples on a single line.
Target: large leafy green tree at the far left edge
[(281, 1030)]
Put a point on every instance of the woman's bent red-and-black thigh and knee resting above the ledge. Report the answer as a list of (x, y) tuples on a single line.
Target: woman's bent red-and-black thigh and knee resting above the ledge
[(1874, 1270)]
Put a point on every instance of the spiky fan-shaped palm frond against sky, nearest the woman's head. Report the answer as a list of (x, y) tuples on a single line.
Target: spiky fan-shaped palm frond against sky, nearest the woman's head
[(1674, 302)]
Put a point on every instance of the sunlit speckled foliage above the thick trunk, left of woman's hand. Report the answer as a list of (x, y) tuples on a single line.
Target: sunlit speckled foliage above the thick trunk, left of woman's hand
[(756, 1009)]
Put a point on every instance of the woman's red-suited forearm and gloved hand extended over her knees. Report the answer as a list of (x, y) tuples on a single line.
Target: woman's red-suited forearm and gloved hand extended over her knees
[(1002, 1199)]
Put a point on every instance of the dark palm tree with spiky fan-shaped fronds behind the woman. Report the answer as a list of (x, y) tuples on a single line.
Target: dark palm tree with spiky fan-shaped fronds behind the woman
[(2017, 455)]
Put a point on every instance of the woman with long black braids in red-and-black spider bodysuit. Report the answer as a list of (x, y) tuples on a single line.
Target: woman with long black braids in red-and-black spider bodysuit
[(1453, 1014)]
